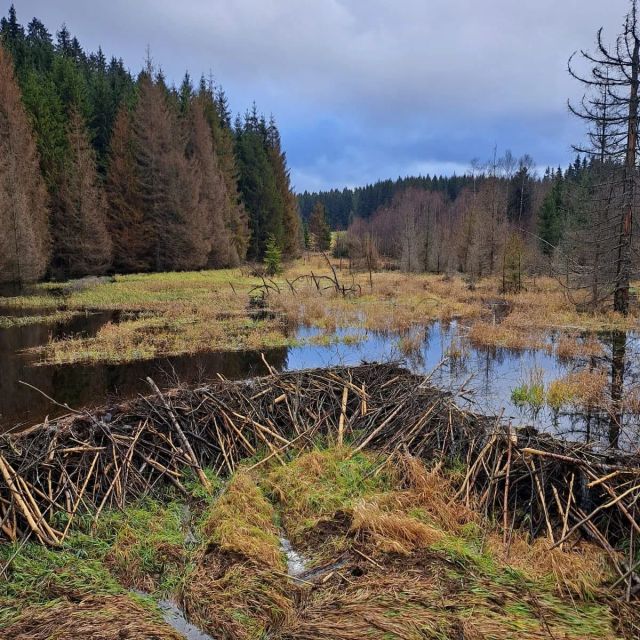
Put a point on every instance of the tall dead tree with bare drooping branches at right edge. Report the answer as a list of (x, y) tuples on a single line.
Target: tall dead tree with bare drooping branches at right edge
[(610, 107)]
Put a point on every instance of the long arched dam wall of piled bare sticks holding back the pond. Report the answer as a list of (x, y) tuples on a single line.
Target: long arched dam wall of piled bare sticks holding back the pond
[(87, 462)]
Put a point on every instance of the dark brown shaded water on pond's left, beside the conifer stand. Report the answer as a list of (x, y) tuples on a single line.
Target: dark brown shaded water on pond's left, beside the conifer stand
[(89, 385)]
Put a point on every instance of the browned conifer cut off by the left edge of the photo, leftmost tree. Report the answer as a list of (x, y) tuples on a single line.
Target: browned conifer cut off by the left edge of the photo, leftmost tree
[(24, 241)]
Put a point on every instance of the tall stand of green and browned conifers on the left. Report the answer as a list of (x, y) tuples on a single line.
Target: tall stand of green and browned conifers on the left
[(103, 171)]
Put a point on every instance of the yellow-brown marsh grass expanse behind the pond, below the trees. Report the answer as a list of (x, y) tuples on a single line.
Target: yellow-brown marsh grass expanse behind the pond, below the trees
[(208, 311)]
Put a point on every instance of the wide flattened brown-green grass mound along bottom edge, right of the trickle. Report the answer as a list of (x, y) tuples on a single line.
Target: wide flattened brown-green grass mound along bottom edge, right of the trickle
[(422, 596)]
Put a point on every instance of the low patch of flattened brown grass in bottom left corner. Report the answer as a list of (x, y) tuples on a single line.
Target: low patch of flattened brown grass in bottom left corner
[(94, 618)]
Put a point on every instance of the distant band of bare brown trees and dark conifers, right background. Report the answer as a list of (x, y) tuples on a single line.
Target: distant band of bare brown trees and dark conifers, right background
[(500, 219)]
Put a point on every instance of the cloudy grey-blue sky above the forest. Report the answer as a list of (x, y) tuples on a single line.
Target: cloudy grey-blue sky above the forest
[(367, 89)]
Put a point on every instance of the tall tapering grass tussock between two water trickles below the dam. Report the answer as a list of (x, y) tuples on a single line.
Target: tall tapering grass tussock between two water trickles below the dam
[(239, 587)]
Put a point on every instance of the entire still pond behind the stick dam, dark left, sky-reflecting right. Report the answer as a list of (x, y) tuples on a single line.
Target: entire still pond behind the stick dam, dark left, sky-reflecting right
[(484, 377)]
